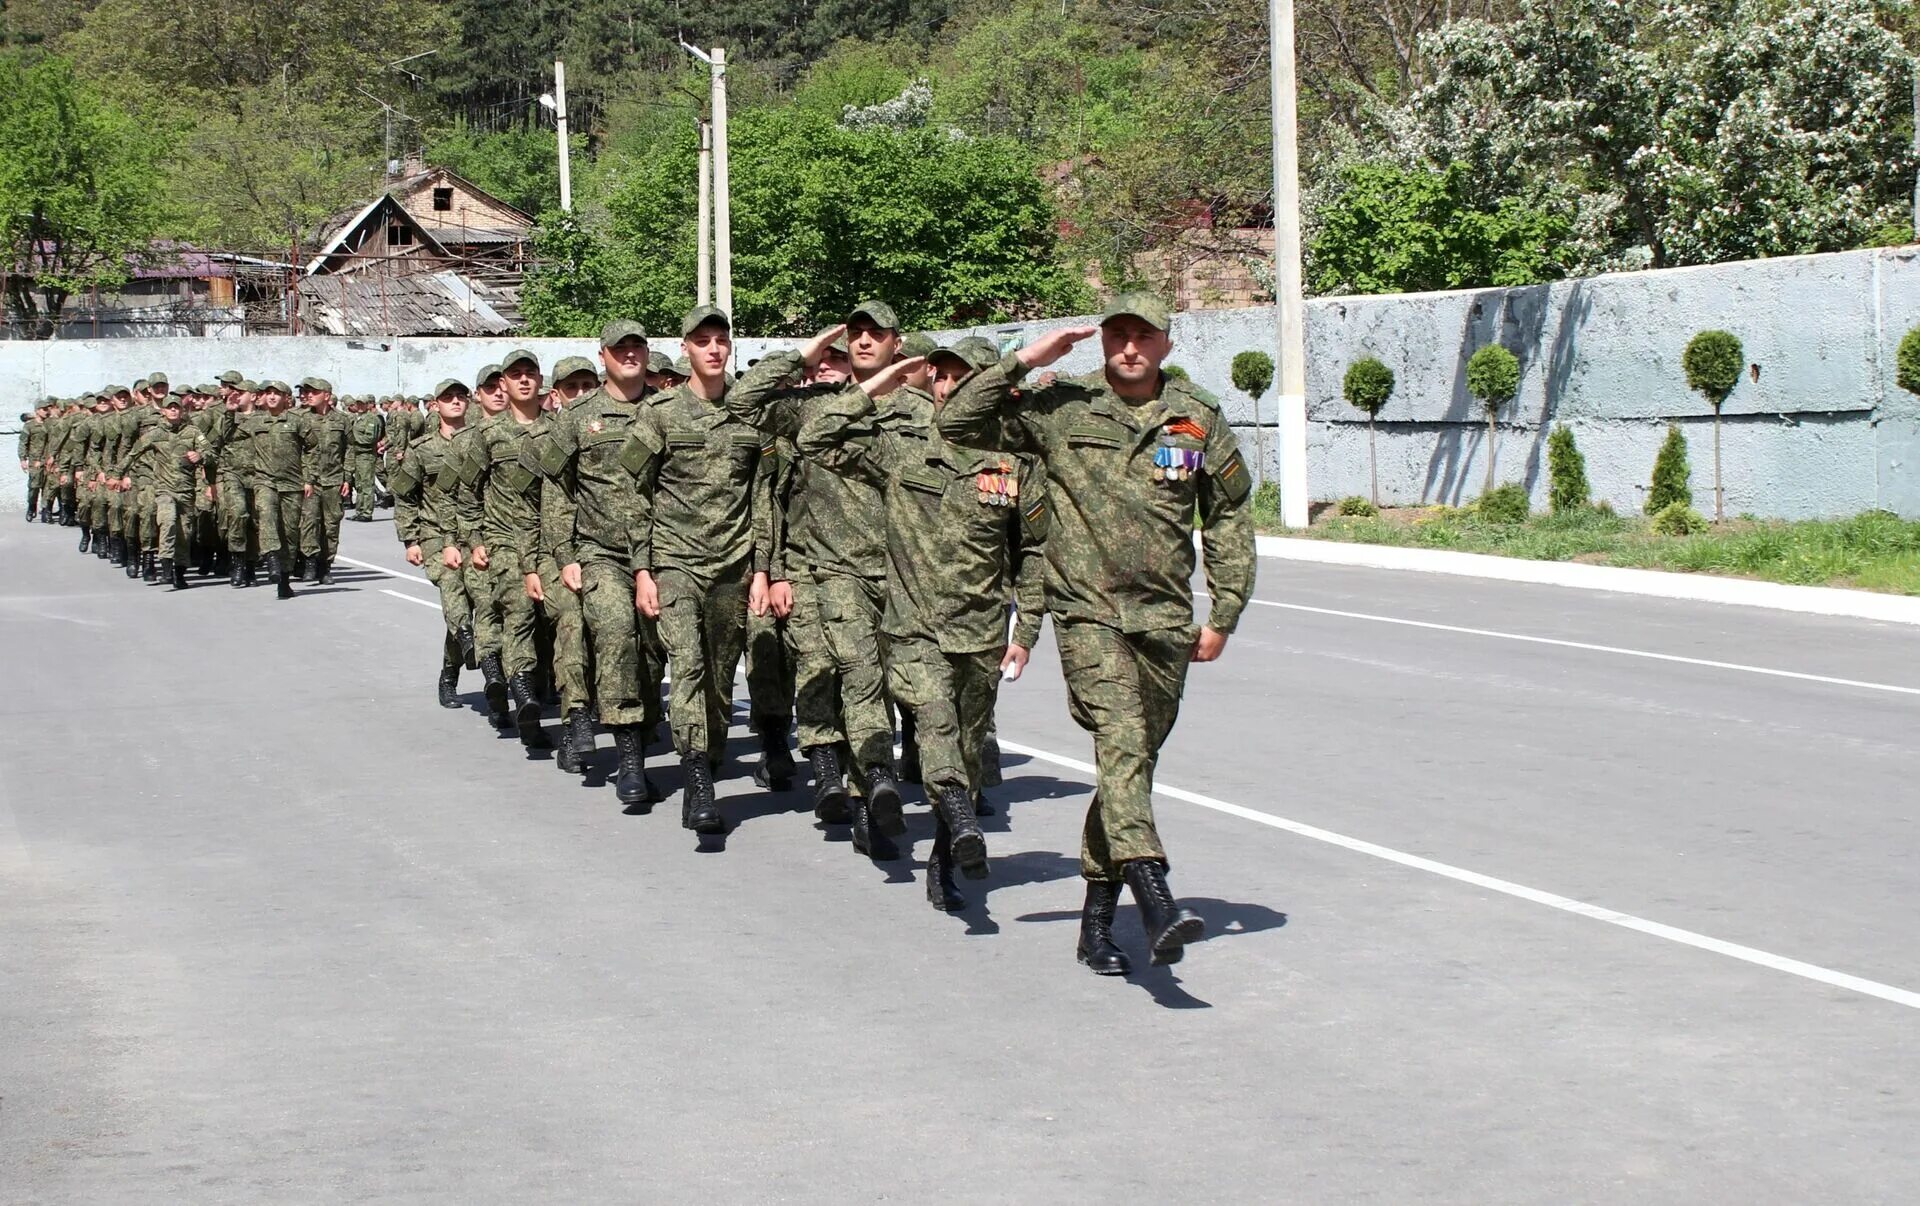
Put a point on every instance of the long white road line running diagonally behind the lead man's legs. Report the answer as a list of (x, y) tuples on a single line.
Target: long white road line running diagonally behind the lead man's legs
[(1625, 921)]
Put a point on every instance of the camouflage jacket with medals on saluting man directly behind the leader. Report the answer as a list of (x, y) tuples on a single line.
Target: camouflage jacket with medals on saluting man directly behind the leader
[(965, 527)]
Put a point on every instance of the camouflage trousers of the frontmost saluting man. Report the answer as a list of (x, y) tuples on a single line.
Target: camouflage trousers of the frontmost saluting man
[(1126, 690)]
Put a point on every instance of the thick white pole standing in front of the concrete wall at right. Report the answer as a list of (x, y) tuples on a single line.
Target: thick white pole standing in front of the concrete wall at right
[(1287, 283)]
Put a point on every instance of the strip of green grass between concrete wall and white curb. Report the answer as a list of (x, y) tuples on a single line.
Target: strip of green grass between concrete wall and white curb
[(1869, 552)]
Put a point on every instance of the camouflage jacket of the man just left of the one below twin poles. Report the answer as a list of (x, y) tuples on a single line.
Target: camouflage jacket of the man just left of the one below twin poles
[(579, 452)]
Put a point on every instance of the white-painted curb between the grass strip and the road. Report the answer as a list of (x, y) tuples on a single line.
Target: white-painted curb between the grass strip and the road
[(1660, 585)]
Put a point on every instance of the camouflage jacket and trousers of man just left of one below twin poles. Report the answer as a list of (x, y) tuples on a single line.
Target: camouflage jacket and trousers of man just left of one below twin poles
[(594, 527)]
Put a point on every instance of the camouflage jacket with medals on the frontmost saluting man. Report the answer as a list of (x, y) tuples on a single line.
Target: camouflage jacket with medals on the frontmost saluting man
[(1122, 550)]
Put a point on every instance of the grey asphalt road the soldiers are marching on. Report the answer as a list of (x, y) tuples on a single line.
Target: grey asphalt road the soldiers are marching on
[(1543, 921)]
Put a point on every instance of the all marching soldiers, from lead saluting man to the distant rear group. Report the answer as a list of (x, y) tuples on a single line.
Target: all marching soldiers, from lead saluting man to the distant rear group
[(875, 525)]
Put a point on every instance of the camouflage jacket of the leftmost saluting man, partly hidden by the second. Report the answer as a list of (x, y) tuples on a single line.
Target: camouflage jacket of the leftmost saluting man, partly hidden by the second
[(834, 523)]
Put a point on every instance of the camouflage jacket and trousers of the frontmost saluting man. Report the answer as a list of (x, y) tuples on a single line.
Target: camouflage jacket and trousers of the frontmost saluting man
[(1120, 566)]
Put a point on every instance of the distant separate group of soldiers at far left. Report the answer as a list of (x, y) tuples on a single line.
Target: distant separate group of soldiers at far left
[(224, 479)]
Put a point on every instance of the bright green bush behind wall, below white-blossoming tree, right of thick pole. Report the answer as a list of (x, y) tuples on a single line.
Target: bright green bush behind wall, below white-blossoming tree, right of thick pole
[(1403, 231)]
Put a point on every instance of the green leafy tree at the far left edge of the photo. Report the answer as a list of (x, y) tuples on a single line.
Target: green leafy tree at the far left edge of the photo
[(76, 189)]
